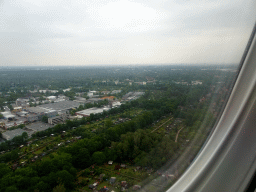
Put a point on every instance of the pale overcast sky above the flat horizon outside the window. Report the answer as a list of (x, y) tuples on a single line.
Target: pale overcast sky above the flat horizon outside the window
[(99, 32)]
